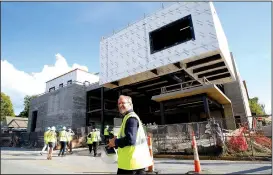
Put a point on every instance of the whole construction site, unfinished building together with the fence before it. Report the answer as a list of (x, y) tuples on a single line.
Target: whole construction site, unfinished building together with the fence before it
[(177, 67)]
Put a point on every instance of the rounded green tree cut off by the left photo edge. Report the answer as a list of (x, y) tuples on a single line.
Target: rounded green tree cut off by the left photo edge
[(6, 106)]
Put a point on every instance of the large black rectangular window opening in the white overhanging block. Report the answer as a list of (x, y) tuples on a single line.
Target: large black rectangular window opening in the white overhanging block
[(172, 34)]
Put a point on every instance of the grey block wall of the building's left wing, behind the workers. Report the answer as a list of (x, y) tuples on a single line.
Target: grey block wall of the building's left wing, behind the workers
[(66, 106)]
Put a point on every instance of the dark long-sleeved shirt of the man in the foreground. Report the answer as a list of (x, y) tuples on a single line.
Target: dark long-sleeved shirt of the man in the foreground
[(130, 132)]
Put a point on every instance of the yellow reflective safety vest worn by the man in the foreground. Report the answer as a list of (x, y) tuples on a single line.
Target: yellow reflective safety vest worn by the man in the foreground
[(135, 156)]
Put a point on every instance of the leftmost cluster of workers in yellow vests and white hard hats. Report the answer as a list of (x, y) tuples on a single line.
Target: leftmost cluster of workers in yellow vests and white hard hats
[(52, 137)]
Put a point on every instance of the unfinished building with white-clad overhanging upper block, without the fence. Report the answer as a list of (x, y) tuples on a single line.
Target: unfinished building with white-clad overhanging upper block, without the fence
[(175, 64)]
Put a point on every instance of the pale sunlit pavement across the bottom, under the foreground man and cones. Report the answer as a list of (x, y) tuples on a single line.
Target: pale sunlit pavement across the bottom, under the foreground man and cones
[(20, 161)]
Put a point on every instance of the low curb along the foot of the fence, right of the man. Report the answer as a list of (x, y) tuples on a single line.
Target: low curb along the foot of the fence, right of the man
[(190, 157)]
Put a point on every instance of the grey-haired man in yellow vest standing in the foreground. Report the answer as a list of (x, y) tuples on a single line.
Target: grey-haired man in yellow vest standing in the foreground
[(133, 151)]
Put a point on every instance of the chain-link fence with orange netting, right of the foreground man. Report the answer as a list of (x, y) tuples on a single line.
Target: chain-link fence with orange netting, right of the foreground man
[(210, 137)]
